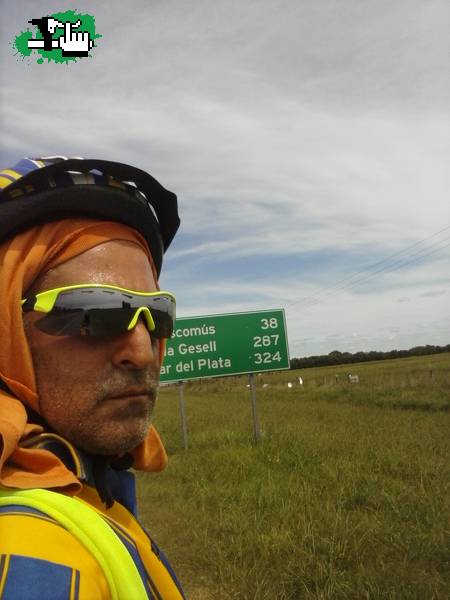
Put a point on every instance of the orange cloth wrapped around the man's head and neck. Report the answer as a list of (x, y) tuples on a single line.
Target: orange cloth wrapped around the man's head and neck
[(22, 259)]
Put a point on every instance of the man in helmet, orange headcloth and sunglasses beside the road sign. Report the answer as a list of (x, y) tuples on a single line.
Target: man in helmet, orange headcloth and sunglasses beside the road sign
[(83, 327)]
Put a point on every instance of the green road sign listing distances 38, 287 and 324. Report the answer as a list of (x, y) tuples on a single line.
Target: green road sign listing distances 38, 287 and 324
[(229, 344)]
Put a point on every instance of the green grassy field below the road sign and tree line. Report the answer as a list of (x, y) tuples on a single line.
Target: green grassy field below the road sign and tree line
[(347, 494)]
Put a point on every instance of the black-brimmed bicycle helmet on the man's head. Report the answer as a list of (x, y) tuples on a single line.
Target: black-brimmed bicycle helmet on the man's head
[(39, 190)]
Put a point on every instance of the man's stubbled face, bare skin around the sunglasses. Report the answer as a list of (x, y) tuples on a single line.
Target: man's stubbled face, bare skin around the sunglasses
[(76, 375)]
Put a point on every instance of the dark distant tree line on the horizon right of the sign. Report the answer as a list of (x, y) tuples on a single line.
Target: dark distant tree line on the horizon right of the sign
[(341, 358)]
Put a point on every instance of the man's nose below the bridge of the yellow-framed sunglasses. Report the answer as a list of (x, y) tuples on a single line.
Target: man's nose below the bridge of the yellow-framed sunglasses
[(136, 349)]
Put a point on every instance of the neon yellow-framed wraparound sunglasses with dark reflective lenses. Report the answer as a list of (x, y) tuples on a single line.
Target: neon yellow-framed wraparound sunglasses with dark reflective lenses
[(97, 309)]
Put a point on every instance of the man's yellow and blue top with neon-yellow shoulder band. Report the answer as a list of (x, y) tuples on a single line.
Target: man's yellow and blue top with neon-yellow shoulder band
[(57, 546)]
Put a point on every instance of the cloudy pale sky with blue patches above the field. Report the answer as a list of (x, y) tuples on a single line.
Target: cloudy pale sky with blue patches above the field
[(307, 142)]
